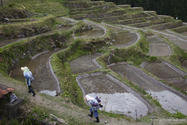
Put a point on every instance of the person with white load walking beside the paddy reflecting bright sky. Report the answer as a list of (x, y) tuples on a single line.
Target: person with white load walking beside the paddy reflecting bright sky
[(95, 104)]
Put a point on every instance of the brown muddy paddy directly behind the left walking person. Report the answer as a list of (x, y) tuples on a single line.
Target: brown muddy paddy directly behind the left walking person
[(43, 80)]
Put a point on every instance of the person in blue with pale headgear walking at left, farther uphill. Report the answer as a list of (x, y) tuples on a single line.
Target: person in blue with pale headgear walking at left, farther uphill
[(29, 78)]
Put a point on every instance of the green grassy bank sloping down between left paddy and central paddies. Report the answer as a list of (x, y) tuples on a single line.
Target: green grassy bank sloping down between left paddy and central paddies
[(68, 82)]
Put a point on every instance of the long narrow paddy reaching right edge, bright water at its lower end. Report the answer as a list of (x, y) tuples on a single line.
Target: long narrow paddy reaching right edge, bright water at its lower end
[(167, 99)]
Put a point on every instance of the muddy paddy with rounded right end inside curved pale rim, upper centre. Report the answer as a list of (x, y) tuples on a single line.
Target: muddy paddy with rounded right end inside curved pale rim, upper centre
[(123, 39)]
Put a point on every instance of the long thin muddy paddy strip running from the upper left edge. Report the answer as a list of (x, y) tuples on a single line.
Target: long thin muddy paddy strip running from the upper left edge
[(9, 41)]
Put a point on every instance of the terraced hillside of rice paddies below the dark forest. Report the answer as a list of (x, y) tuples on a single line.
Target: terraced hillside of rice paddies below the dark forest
[(79, 47)]
